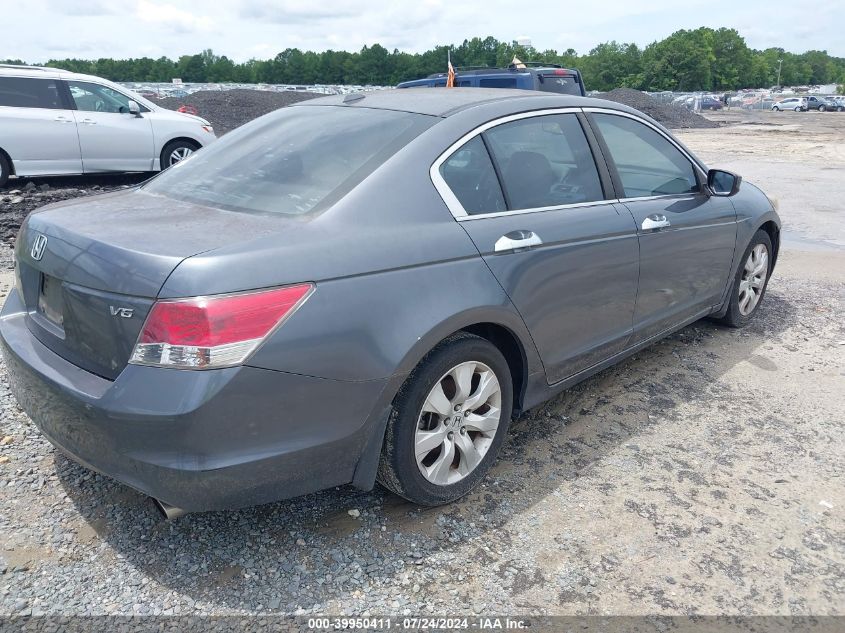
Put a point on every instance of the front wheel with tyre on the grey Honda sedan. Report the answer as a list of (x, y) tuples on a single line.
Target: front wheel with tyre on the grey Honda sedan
[(751, 281)]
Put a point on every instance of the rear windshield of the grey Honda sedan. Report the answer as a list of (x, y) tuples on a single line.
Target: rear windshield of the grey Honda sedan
[(293, 161)]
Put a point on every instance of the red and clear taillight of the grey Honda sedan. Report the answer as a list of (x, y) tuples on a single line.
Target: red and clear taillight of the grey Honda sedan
[(215, 331)]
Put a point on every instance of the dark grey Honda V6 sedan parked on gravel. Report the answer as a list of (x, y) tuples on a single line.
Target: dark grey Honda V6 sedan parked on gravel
[(368, 288)]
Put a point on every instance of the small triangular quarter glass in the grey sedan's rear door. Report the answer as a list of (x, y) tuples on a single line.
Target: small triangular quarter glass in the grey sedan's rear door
[(472, 178)]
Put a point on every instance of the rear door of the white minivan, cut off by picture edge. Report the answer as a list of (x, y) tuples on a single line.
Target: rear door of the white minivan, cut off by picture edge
[(37, 128)]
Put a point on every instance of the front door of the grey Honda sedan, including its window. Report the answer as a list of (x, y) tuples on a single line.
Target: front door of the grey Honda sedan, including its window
[(687, 237)]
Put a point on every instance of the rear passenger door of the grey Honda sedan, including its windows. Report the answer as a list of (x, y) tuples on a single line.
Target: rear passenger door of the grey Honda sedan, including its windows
[(564, 253)]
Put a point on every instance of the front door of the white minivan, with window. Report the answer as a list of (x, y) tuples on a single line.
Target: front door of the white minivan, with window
[(110, 137)]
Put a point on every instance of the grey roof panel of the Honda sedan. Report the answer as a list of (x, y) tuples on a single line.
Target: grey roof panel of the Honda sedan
[(444, 102)]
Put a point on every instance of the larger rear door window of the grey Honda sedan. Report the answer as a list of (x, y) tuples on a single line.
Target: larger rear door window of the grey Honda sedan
[(545, 161)]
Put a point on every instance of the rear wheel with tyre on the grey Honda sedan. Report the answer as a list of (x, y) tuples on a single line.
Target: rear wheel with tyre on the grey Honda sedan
[(448, 422)]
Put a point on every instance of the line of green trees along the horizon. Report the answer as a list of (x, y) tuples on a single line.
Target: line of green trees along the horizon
[(688, 60)]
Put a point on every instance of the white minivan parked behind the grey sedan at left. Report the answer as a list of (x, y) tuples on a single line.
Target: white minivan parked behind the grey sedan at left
[(56, 122)]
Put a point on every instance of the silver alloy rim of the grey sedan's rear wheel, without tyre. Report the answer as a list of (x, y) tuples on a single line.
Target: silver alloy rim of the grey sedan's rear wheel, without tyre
[(458, 422)]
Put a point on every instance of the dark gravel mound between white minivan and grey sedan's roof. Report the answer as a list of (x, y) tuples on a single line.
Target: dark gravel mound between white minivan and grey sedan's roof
[(228, 109)]
